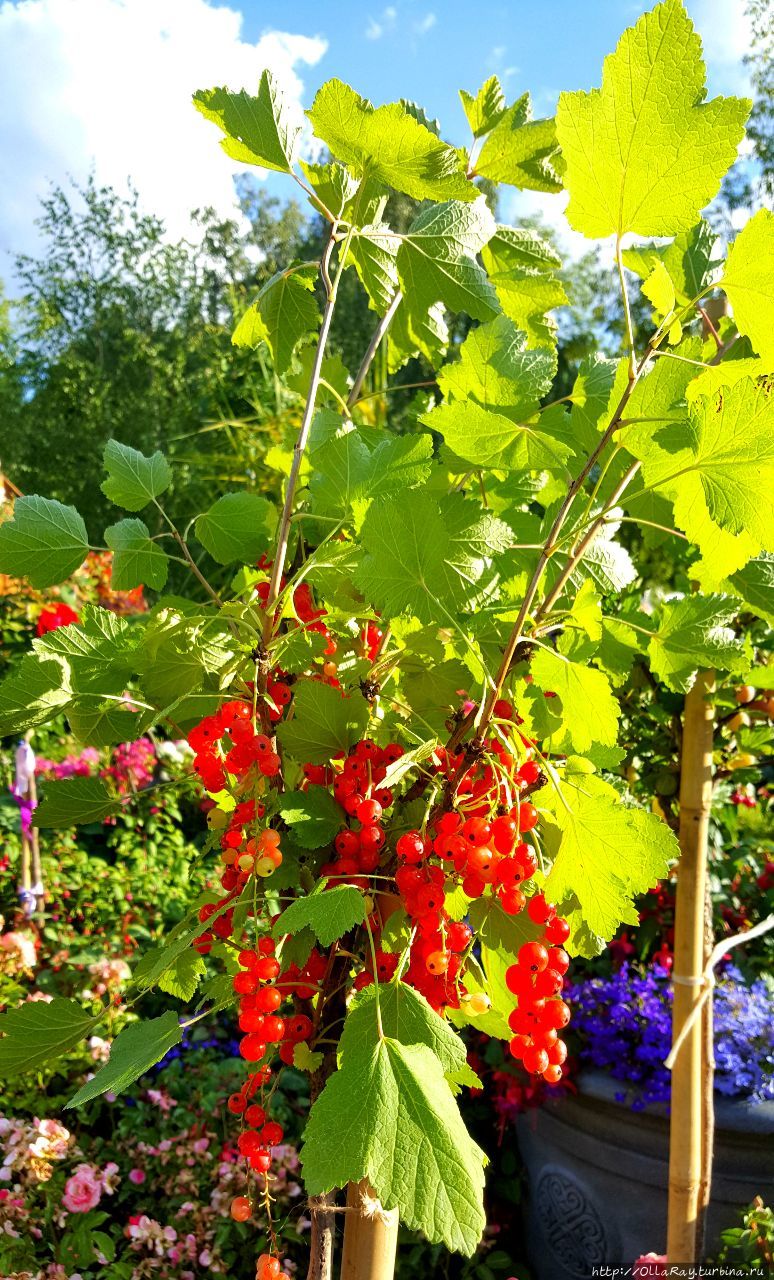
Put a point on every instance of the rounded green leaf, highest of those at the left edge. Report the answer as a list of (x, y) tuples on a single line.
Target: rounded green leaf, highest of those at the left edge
[(44, 542)]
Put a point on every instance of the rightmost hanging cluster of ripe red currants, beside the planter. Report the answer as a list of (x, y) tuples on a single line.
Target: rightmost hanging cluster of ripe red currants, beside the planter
[(537, 980)]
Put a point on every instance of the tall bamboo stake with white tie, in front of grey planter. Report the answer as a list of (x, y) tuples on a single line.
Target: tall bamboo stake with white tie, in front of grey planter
[(689, 1148)]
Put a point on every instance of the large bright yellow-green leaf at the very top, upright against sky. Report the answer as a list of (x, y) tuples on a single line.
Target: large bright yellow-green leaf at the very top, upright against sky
[(645, 153)]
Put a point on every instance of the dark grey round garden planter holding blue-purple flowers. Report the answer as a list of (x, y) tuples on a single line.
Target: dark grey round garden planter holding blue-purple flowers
[(598, 1176)]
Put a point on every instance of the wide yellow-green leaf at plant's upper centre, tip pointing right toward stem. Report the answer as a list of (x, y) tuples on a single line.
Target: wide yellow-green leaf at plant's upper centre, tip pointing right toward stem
[(491, 441)]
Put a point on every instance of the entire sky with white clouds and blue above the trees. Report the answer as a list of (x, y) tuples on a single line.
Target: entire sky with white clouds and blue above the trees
[(106, 85)]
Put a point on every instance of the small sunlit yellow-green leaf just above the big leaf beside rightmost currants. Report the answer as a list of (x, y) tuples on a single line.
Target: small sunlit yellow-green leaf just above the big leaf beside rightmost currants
[(589, 708)]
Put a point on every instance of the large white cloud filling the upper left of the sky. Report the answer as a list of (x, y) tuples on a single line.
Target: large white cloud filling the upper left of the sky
[(108, 84)]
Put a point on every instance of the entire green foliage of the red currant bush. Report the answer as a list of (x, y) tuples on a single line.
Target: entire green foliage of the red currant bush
[(488, 537)]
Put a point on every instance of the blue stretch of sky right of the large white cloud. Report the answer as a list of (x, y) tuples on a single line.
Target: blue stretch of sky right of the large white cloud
[(427, 51)]
